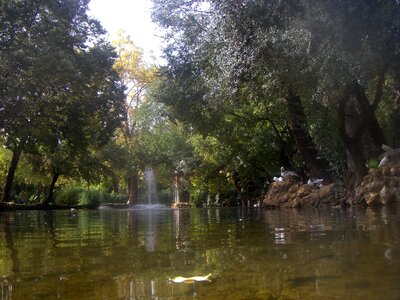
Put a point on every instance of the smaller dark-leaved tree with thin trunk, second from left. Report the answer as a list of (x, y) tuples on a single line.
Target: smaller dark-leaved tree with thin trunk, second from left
[(84, 118)]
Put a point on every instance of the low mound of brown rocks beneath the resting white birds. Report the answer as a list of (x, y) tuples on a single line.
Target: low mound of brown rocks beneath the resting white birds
[(290, 193)]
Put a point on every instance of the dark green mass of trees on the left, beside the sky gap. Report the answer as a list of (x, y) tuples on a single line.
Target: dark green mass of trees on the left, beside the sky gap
[(60, 98)]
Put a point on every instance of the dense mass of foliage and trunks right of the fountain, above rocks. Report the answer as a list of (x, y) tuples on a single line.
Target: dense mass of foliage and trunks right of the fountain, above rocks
[(300, 84)]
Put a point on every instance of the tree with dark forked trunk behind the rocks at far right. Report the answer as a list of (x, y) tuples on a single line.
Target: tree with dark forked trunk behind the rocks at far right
[(354, 48)]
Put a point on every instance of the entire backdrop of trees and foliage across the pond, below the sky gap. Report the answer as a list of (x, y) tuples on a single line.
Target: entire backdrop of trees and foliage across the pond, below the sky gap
[(247, 87)]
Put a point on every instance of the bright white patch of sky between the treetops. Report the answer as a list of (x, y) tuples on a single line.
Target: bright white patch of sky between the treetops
[(133, 16)]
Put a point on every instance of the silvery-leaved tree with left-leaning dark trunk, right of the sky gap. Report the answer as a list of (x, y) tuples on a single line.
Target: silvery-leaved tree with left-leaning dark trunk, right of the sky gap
[(215, 54)]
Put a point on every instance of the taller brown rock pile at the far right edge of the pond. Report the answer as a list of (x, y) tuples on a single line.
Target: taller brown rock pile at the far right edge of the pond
[(380, 186)]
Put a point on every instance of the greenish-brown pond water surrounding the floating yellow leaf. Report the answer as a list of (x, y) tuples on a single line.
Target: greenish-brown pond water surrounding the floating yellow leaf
[(250, 253)]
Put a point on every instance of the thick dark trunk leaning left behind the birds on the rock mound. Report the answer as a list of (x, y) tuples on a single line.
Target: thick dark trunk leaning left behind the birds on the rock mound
[(318, 166)]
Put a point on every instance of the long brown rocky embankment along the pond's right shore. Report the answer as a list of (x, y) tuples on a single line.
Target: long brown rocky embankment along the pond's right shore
[(380, 187)]
